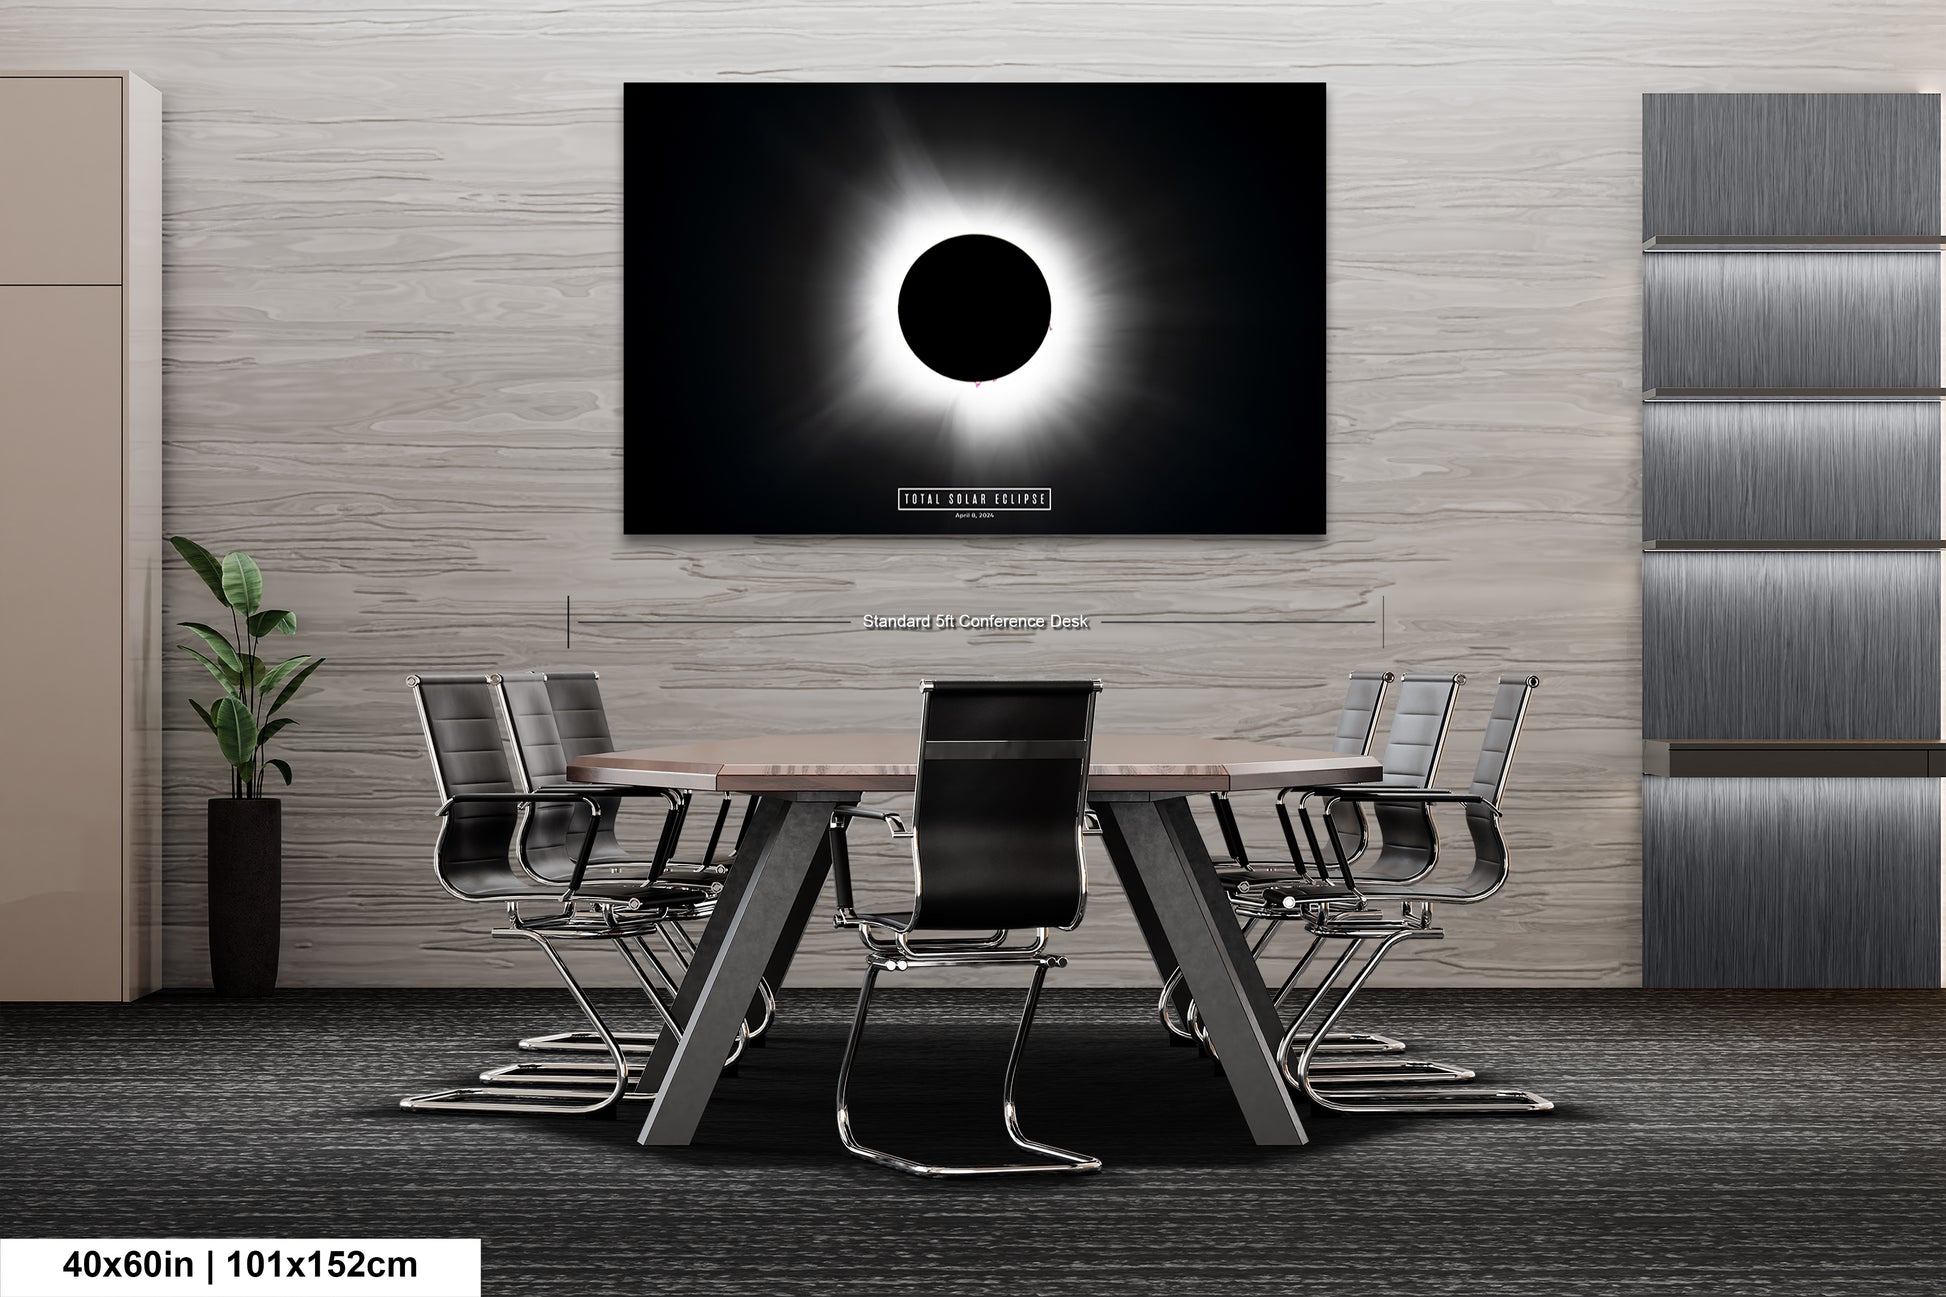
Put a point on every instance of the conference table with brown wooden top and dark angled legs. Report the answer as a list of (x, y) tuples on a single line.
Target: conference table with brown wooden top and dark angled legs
[(1139, 786)]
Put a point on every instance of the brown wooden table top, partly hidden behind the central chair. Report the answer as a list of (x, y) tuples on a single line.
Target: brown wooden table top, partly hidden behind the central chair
[(886, 764)]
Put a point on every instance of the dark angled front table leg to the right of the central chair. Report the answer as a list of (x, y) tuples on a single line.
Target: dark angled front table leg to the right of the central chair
[(1159, 846)]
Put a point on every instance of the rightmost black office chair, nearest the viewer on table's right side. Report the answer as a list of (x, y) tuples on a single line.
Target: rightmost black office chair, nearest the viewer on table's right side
[(1357, 924)]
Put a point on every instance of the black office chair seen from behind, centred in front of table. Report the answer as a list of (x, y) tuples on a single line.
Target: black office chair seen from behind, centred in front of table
[(997, 829)]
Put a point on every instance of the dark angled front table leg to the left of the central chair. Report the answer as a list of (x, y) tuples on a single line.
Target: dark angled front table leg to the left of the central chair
[(752, 914)]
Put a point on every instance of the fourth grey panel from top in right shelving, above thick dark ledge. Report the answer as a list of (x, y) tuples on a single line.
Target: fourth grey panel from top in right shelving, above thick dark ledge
[(1791, 646)]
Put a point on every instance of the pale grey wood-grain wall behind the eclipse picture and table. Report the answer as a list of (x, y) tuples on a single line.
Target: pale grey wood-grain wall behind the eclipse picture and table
[(394, 375)]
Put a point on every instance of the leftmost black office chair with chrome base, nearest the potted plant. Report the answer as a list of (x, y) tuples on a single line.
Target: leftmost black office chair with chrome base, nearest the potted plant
[(476, 862)]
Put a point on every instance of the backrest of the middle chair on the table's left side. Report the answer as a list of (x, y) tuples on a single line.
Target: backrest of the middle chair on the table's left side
[(538, 708)]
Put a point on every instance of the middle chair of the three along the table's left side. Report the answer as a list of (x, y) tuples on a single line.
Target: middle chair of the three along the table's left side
[(554, 720)]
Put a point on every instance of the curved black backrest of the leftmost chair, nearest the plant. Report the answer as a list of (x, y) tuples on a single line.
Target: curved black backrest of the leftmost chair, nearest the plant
[(462, 731)]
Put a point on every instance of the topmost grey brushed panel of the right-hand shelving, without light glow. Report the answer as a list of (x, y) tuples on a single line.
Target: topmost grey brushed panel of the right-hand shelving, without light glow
[(1791, 165)]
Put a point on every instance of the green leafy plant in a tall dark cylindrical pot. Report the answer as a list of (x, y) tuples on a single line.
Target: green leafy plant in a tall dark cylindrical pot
[(246, 829)]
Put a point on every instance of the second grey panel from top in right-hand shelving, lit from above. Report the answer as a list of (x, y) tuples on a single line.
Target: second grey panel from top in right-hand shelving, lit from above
[(1791, 320)]
